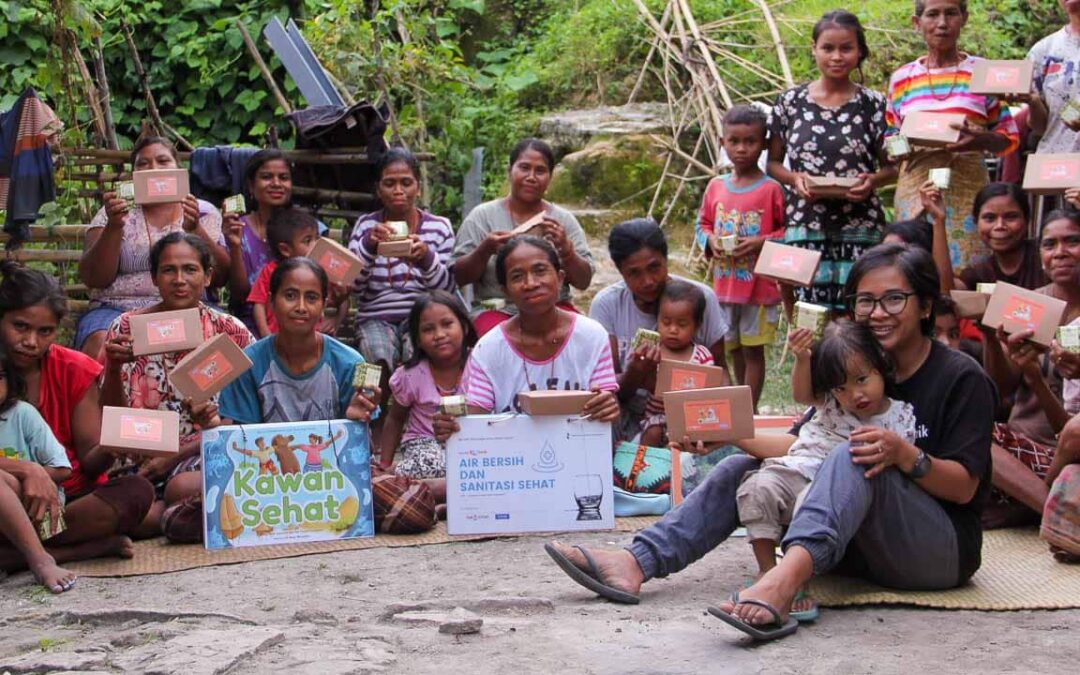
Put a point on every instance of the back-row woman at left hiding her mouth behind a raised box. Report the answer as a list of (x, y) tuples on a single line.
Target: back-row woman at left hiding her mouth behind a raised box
[(115, 263)]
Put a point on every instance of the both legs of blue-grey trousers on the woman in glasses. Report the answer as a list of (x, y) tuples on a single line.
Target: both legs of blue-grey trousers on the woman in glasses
[(901, 533)]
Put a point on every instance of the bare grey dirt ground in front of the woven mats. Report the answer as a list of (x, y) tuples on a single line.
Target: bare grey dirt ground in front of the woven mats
[(379, 611)]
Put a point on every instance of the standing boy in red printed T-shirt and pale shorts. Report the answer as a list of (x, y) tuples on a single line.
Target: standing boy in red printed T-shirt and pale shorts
[(738, 214)]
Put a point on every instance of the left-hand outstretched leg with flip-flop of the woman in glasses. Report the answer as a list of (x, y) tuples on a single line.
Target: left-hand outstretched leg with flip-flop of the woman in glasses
[(706, 519)]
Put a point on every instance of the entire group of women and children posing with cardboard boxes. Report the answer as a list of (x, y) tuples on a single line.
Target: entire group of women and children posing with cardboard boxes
[(888, 476)]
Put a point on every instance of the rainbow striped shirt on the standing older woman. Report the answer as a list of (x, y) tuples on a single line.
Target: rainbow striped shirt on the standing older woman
[(915, 88)]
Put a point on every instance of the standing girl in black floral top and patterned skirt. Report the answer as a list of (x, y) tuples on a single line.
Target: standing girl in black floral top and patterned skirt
[(832, 130)]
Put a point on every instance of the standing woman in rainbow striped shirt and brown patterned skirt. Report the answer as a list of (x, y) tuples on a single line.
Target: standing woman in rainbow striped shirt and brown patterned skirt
[(940, 84)]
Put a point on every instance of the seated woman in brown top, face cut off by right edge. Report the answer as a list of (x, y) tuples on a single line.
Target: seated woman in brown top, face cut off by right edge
[(1024, 448)]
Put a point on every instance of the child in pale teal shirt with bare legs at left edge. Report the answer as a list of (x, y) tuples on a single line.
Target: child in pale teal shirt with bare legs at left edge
[(28, 447)]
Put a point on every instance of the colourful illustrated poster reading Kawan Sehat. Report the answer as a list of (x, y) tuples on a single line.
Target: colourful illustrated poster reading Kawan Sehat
[(287, 483)]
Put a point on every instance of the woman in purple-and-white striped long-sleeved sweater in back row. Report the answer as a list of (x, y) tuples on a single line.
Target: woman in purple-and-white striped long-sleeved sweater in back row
[(388, 288)]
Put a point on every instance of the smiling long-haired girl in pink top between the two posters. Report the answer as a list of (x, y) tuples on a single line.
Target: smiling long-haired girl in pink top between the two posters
[(440, 329)]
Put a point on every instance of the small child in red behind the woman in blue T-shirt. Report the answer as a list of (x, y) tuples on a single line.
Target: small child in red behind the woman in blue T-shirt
[(291, 233)]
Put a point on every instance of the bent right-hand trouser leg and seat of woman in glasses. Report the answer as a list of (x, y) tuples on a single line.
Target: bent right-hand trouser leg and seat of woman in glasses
[(901, 536)]
